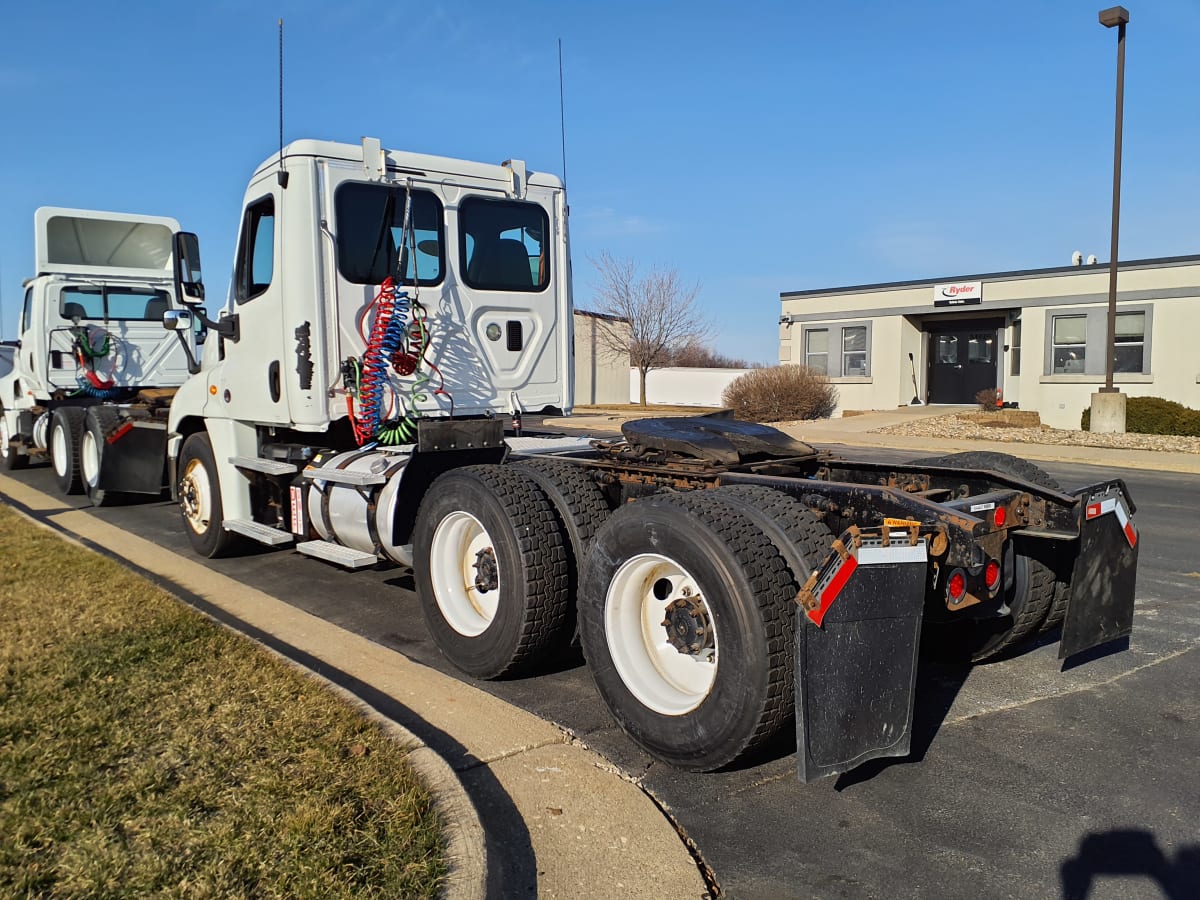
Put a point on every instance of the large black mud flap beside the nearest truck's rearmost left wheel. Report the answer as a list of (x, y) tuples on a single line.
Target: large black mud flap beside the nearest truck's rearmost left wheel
[(856, 657)]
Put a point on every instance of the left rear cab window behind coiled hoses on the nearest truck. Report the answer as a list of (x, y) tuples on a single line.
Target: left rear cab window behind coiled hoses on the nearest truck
[(370, 221)]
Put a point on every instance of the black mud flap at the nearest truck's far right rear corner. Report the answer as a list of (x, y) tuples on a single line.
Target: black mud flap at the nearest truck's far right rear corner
[(1102, 585)]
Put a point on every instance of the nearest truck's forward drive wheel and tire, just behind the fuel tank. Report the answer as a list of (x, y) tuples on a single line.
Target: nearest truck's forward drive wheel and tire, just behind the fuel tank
[(490, 565)]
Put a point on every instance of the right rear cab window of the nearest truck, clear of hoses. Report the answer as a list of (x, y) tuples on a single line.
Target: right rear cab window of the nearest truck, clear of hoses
[(505, 245)]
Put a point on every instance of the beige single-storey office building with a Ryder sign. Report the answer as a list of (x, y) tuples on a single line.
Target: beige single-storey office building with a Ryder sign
[(1039, 335)]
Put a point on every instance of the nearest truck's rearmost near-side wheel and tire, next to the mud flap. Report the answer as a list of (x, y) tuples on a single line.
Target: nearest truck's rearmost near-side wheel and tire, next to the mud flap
[(717, 686)]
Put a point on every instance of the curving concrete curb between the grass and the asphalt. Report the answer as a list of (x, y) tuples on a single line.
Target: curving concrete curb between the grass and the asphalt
[(559, 820)]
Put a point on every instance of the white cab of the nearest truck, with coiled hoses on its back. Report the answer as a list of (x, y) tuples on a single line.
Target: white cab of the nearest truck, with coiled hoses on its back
[(471, 260)]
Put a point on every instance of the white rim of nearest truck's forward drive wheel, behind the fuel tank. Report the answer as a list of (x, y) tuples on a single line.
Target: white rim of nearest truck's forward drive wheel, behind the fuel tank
[(459, 543)]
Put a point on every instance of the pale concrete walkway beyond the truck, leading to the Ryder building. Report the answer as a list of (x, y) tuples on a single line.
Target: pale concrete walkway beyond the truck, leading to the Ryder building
[(859, 431)]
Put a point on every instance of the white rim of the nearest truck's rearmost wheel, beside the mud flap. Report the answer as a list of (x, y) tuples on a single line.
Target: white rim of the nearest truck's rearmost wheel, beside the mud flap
[(663, 679)]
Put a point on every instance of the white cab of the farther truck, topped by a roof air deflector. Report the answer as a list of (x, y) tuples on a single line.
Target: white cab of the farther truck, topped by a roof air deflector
[(91, 332)]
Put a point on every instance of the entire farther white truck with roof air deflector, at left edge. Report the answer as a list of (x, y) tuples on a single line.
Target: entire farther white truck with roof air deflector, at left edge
[(93, 373)]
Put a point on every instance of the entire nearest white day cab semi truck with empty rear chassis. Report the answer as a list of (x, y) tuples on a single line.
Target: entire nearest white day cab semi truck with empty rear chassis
[(391, 314)]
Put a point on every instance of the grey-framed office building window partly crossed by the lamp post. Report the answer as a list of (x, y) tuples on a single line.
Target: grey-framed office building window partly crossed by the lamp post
[(1078, 341)]
